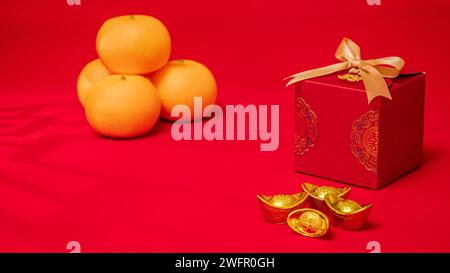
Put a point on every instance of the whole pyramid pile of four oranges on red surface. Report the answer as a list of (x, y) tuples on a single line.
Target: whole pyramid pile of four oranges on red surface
[(132, 84)]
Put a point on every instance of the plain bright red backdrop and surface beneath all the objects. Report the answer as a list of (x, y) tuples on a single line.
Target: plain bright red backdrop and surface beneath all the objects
[(60, 182)]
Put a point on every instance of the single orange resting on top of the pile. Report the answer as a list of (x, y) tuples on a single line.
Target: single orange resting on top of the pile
[(133, 44)]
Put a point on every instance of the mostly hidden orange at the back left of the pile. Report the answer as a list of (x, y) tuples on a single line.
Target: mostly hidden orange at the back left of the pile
[(90, 74)]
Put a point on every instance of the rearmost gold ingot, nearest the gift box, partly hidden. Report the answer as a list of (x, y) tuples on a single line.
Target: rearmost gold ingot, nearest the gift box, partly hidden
[(318, 193)]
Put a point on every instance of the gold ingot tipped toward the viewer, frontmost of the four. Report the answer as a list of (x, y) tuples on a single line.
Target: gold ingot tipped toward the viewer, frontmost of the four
[(308, 222)]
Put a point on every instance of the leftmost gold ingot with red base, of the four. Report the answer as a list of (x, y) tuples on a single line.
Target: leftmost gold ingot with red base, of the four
[(276, 208)]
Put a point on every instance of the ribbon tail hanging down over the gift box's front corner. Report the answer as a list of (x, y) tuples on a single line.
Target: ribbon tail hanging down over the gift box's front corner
[(374, 83)]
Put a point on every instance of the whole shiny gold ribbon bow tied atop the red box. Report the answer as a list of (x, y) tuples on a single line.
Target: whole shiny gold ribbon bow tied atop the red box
[(372, 72)]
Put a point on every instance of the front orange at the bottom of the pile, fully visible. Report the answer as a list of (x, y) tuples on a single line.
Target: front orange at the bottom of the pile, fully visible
[(123, 106)]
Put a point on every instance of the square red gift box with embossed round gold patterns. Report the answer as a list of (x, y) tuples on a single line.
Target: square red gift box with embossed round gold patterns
[(339, 136)]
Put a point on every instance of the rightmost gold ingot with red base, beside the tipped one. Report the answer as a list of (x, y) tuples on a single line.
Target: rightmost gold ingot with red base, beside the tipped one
[(347, 213)]
